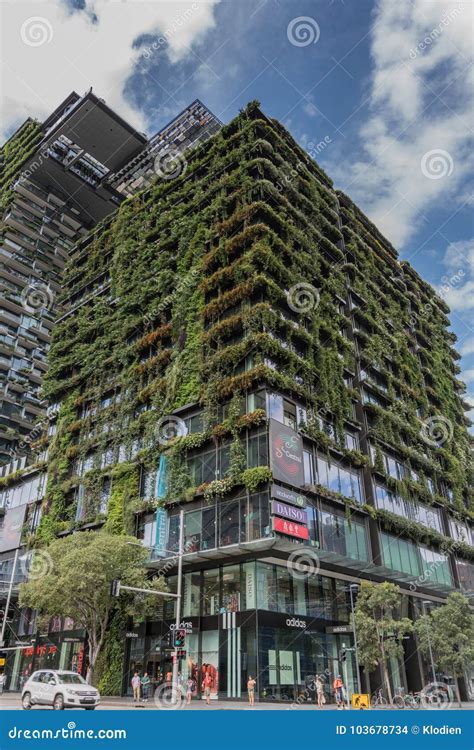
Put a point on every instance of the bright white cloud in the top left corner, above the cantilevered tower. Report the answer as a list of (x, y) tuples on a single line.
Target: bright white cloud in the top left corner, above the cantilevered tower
[(89, 48)]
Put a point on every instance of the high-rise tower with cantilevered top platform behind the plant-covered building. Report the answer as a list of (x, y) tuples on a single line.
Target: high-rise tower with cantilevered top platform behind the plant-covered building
[(58, 179)]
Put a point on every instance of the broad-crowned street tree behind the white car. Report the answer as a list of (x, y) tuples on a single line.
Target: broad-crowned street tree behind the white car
[(72, 578)]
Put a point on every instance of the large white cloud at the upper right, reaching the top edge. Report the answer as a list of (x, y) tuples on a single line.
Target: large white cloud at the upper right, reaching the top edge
[(420, 101)]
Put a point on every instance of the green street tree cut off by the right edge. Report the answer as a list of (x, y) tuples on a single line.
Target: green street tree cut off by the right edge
[(448, 630)]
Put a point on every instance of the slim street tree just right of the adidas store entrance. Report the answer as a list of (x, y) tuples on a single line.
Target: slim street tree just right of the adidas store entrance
[(380, 628)]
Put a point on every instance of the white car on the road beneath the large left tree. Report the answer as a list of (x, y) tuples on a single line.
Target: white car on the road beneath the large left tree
[(59, 689)]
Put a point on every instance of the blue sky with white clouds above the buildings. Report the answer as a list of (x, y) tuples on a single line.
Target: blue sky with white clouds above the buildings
[(378, 91)]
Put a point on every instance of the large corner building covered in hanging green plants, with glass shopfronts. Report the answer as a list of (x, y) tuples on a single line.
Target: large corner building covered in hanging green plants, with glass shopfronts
[(243, 344)]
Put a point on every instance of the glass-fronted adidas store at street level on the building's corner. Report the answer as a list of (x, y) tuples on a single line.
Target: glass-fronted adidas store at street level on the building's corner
[(252, 618)]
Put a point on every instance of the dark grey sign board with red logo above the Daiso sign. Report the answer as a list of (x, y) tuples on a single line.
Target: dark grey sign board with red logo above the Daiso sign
[(286, 454)]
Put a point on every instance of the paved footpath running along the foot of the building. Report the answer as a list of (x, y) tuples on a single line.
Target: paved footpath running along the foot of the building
[(11, 701)]
